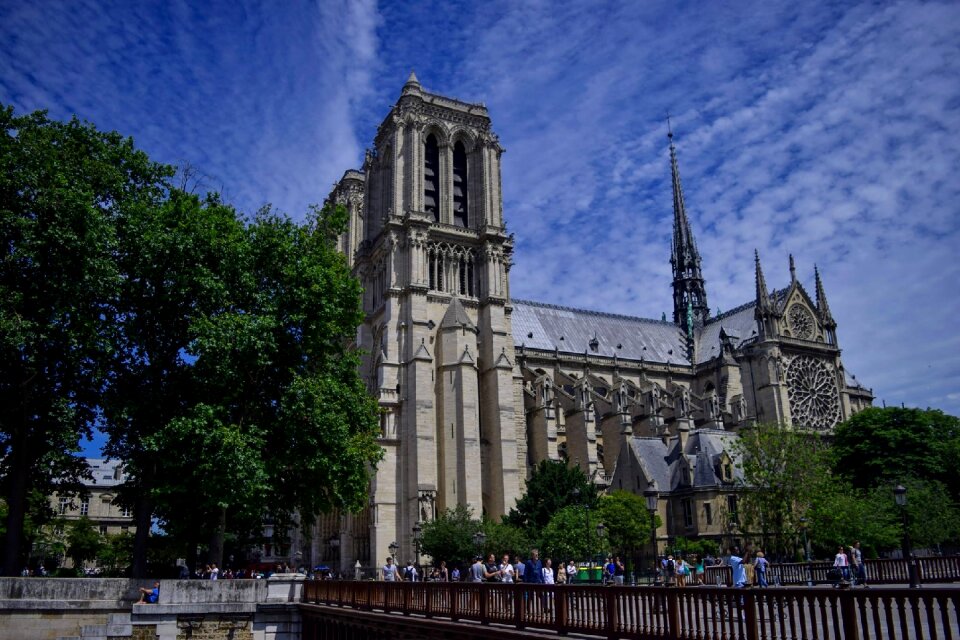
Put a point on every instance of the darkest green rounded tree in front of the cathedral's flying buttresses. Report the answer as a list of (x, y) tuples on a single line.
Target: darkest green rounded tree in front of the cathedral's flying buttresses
[(553, 485)]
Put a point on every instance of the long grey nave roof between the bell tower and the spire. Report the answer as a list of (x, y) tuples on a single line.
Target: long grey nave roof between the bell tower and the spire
[(548, 327)]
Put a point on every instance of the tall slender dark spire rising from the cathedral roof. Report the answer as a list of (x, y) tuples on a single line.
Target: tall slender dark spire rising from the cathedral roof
[(689, 292)]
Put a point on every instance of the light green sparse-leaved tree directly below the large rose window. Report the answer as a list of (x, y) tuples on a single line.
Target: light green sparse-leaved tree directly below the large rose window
[(783, 470)]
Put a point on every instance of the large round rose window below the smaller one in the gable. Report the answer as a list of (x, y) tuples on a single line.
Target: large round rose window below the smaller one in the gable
[(813, 395)]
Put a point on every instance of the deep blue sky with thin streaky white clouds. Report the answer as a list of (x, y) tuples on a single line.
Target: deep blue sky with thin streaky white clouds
[(824, 129)]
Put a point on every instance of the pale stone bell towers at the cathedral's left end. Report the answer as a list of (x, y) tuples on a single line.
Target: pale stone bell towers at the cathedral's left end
[(427, 239)]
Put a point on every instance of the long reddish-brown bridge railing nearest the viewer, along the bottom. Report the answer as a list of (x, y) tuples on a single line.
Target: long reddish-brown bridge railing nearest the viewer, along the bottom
[(704, 613)]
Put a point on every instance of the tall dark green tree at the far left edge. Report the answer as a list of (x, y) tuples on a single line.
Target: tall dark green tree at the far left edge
[(62, 188)]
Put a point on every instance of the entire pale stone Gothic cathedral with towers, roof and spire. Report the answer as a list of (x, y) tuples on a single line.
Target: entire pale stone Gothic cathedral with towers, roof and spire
[(477, 387)]
